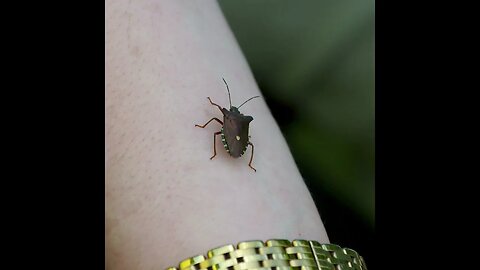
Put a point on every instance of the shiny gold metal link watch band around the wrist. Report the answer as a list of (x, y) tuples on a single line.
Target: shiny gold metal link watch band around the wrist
[(276, 255)]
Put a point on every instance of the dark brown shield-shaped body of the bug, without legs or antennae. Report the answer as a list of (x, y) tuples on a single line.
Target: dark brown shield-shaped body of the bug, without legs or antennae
[(235, 131)]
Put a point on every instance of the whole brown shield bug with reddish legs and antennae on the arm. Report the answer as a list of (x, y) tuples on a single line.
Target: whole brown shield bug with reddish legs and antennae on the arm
[(234, 130)]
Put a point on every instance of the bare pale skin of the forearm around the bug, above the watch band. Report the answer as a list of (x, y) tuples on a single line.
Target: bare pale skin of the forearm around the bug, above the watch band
[(165, 199)]
